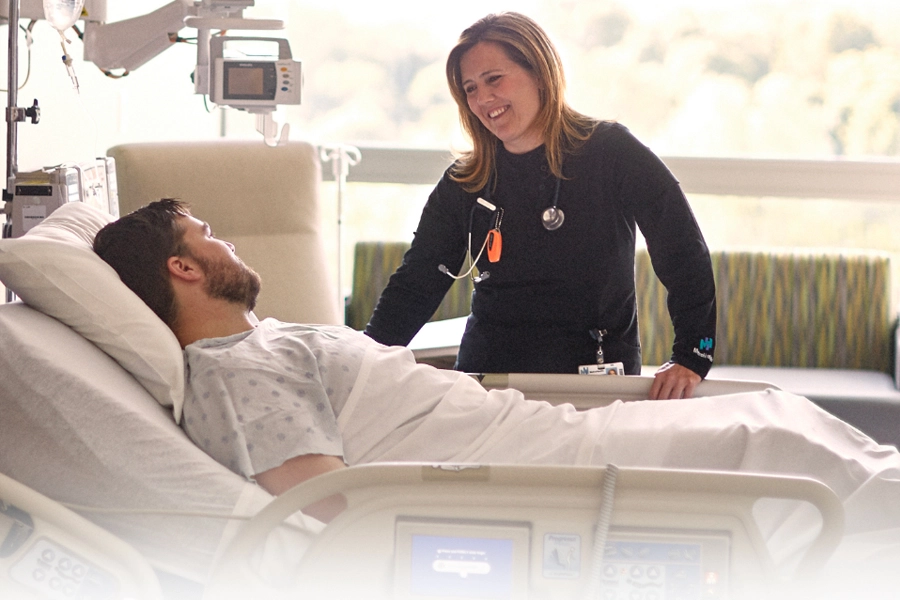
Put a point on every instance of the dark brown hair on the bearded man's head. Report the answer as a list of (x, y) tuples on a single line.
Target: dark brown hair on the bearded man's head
[(138, 246)]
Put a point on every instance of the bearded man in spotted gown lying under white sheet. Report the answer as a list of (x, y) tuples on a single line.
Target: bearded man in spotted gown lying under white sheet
[(280, 403)]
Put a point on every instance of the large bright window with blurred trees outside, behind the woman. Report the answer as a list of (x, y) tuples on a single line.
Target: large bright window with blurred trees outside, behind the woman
[(747, 78)]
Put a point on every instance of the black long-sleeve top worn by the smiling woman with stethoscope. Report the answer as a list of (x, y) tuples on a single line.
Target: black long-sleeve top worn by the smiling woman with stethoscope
[(550, 290)]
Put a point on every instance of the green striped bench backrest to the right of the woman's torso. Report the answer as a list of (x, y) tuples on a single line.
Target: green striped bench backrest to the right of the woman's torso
[(785, 309)]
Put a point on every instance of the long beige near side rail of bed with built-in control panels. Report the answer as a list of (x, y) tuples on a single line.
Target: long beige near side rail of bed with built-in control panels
[(416, 531)]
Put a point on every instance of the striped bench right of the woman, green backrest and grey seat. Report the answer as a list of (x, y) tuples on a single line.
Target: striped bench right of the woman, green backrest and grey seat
[(819, 324)]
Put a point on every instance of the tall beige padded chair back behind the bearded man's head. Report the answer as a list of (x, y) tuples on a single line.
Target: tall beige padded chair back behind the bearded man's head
[(264, 200)]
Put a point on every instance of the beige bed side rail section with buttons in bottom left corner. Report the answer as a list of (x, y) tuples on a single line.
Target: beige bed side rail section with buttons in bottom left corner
[(48, 552)]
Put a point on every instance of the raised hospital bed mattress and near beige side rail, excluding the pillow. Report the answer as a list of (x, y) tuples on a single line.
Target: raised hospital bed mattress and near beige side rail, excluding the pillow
[(79, 429)]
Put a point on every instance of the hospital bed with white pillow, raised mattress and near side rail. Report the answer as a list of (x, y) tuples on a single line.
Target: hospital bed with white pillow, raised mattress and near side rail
[(90, 385)]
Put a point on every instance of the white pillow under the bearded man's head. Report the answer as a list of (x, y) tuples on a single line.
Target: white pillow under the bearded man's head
[(54, 269)]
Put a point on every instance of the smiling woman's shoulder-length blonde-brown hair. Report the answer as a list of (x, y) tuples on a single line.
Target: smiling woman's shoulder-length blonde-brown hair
[(525, 43)]
